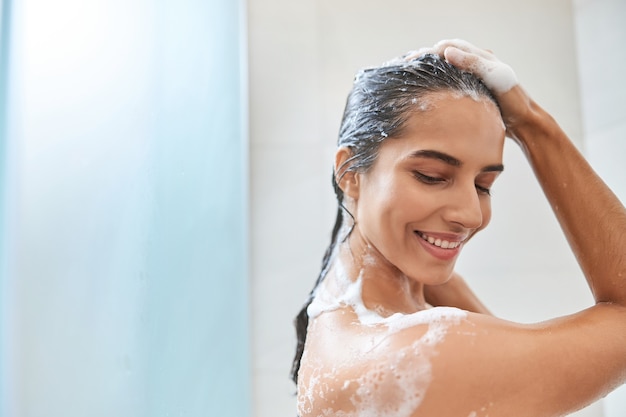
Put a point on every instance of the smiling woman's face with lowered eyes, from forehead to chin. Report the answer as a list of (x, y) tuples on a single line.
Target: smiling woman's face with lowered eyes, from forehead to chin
[(428, 191)]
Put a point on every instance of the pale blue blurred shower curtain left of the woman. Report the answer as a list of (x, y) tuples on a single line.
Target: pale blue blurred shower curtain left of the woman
[(124, 166)]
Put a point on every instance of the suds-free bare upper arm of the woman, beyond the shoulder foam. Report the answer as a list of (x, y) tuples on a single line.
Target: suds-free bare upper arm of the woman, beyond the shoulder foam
[(495, 367)]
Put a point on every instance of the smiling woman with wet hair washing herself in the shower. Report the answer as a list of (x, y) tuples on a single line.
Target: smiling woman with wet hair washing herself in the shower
[(389, 328)]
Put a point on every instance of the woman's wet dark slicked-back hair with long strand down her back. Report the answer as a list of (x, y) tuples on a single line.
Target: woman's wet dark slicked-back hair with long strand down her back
[(381, 101)]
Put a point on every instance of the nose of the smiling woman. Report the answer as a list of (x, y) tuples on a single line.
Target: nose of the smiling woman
[(464, 206)]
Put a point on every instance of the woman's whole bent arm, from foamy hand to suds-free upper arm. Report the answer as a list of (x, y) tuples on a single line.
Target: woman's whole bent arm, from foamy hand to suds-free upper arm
[(556, 367)]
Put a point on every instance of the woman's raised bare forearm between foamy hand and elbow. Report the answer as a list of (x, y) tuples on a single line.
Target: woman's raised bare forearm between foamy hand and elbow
[(591, 216)]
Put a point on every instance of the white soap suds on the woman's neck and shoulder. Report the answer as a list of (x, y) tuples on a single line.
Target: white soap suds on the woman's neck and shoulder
[(394, 385)]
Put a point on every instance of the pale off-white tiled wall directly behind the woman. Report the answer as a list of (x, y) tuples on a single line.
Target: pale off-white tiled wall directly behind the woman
[(303, 56)]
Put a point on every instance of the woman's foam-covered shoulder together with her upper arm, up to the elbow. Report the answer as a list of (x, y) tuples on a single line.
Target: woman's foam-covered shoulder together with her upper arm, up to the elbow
[(448, 362)]
